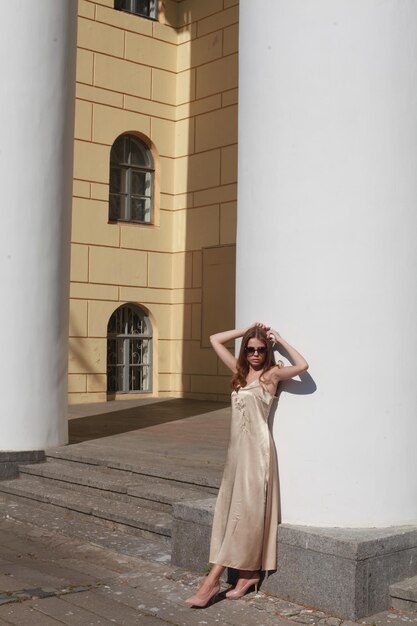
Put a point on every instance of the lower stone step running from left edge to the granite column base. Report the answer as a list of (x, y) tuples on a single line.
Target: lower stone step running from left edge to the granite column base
[(98, 507)]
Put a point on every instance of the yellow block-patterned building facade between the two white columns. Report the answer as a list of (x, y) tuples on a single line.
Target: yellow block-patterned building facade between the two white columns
[(173, 83)]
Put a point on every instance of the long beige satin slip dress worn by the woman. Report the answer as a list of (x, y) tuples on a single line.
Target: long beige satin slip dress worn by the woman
[(244, 533)]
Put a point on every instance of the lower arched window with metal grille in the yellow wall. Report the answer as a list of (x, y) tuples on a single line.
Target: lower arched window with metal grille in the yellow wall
[(129, 351)]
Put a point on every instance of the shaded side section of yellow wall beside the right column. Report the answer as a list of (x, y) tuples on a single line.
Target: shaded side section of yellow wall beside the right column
[(207, 115)]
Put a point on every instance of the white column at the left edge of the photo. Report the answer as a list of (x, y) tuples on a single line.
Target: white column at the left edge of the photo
[(37, 60)]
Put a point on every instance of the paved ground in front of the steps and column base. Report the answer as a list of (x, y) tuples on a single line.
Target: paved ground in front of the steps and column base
[(47, 579)]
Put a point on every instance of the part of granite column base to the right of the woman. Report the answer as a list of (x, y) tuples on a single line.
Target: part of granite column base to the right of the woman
[(344, 571)]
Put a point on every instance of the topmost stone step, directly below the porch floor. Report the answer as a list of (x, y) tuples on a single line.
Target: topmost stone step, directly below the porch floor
[(182, 470)]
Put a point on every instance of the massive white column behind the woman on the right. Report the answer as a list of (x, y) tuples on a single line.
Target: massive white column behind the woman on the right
[(327, 245)]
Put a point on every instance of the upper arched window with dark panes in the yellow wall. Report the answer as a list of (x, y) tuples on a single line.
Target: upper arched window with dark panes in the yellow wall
[(131, 180)]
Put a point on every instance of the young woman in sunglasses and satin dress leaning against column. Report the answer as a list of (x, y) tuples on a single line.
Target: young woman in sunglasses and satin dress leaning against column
[(246, 515)]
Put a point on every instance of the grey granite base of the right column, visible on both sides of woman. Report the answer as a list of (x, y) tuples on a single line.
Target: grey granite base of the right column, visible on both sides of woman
[(343, 571)]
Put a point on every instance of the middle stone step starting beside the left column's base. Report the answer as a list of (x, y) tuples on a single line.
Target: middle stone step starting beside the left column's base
[(155, 493)]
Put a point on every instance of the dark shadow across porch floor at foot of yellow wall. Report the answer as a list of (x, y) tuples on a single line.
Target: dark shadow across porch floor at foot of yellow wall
[(129, 419)]
